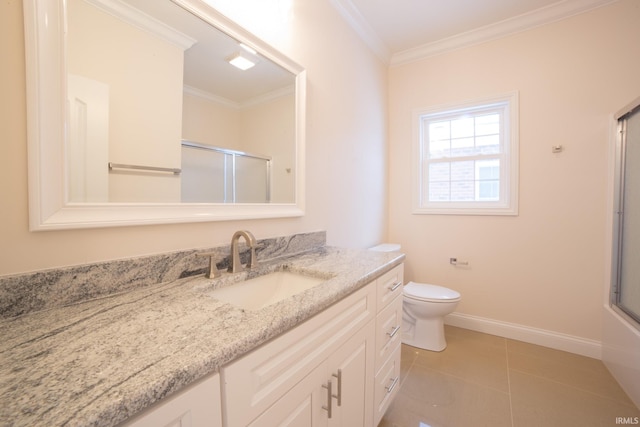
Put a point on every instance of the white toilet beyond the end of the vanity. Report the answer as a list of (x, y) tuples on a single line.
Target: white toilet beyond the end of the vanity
[(423, 309)]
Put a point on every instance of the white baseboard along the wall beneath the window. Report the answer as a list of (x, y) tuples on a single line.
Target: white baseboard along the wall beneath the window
[(555, 340)]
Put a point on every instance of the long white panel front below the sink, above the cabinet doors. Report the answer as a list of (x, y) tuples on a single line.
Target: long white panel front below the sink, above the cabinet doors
[(254, 382)]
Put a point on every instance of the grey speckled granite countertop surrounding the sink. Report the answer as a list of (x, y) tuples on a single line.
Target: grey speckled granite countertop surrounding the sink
[(99, 362)]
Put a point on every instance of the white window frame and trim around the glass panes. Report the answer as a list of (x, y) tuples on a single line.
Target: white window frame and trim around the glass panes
[(508, 202)]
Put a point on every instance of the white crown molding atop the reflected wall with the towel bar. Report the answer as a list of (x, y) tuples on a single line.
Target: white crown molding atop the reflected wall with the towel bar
[(141, 20)]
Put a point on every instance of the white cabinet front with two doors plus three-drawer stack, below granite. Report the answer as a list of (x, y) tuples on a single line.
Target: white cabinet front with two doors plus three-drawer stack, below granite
[(339, 368)]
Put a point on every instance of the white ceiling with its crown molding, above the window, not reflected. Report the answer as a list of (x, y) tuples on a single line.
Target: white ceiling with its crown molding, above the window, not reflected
[(404, 30)]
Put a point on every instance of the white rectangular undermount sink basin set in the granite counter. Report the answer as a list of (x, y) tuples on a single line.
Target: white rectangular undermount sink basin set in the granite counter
[(261, 291)]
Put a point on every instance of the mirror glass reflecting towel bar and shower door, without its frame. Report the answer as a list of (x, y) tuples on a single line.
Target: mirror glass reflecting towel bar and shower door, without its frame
[(159, 114)]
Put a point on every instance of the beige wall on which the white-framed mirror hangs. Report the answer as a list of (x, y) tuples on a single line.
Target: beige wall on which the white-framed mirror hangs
[(346, 152)]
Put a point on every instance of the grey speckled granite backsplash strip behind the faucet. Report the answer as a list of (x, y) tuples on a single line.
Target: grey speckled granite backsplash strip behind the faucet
[(42, 290)]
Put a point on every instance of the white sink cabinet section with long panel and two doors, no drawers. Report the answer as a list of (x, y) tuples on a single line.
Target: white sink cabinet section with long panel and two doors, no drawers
[(285, 382)]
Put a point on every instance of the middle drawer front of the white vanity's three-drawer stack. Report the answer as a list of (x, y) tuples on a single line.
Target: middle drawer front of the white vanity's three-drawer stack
[(388, 333)]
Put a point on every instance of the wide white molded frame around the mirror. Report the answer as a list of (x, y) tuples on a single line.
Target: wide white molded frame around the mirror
[(45, 24)]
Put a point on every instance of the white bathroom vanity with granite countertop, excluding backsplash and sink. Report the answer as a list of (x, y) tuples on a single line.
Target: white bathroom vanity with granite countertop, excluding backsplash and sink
[(173, 355)]
